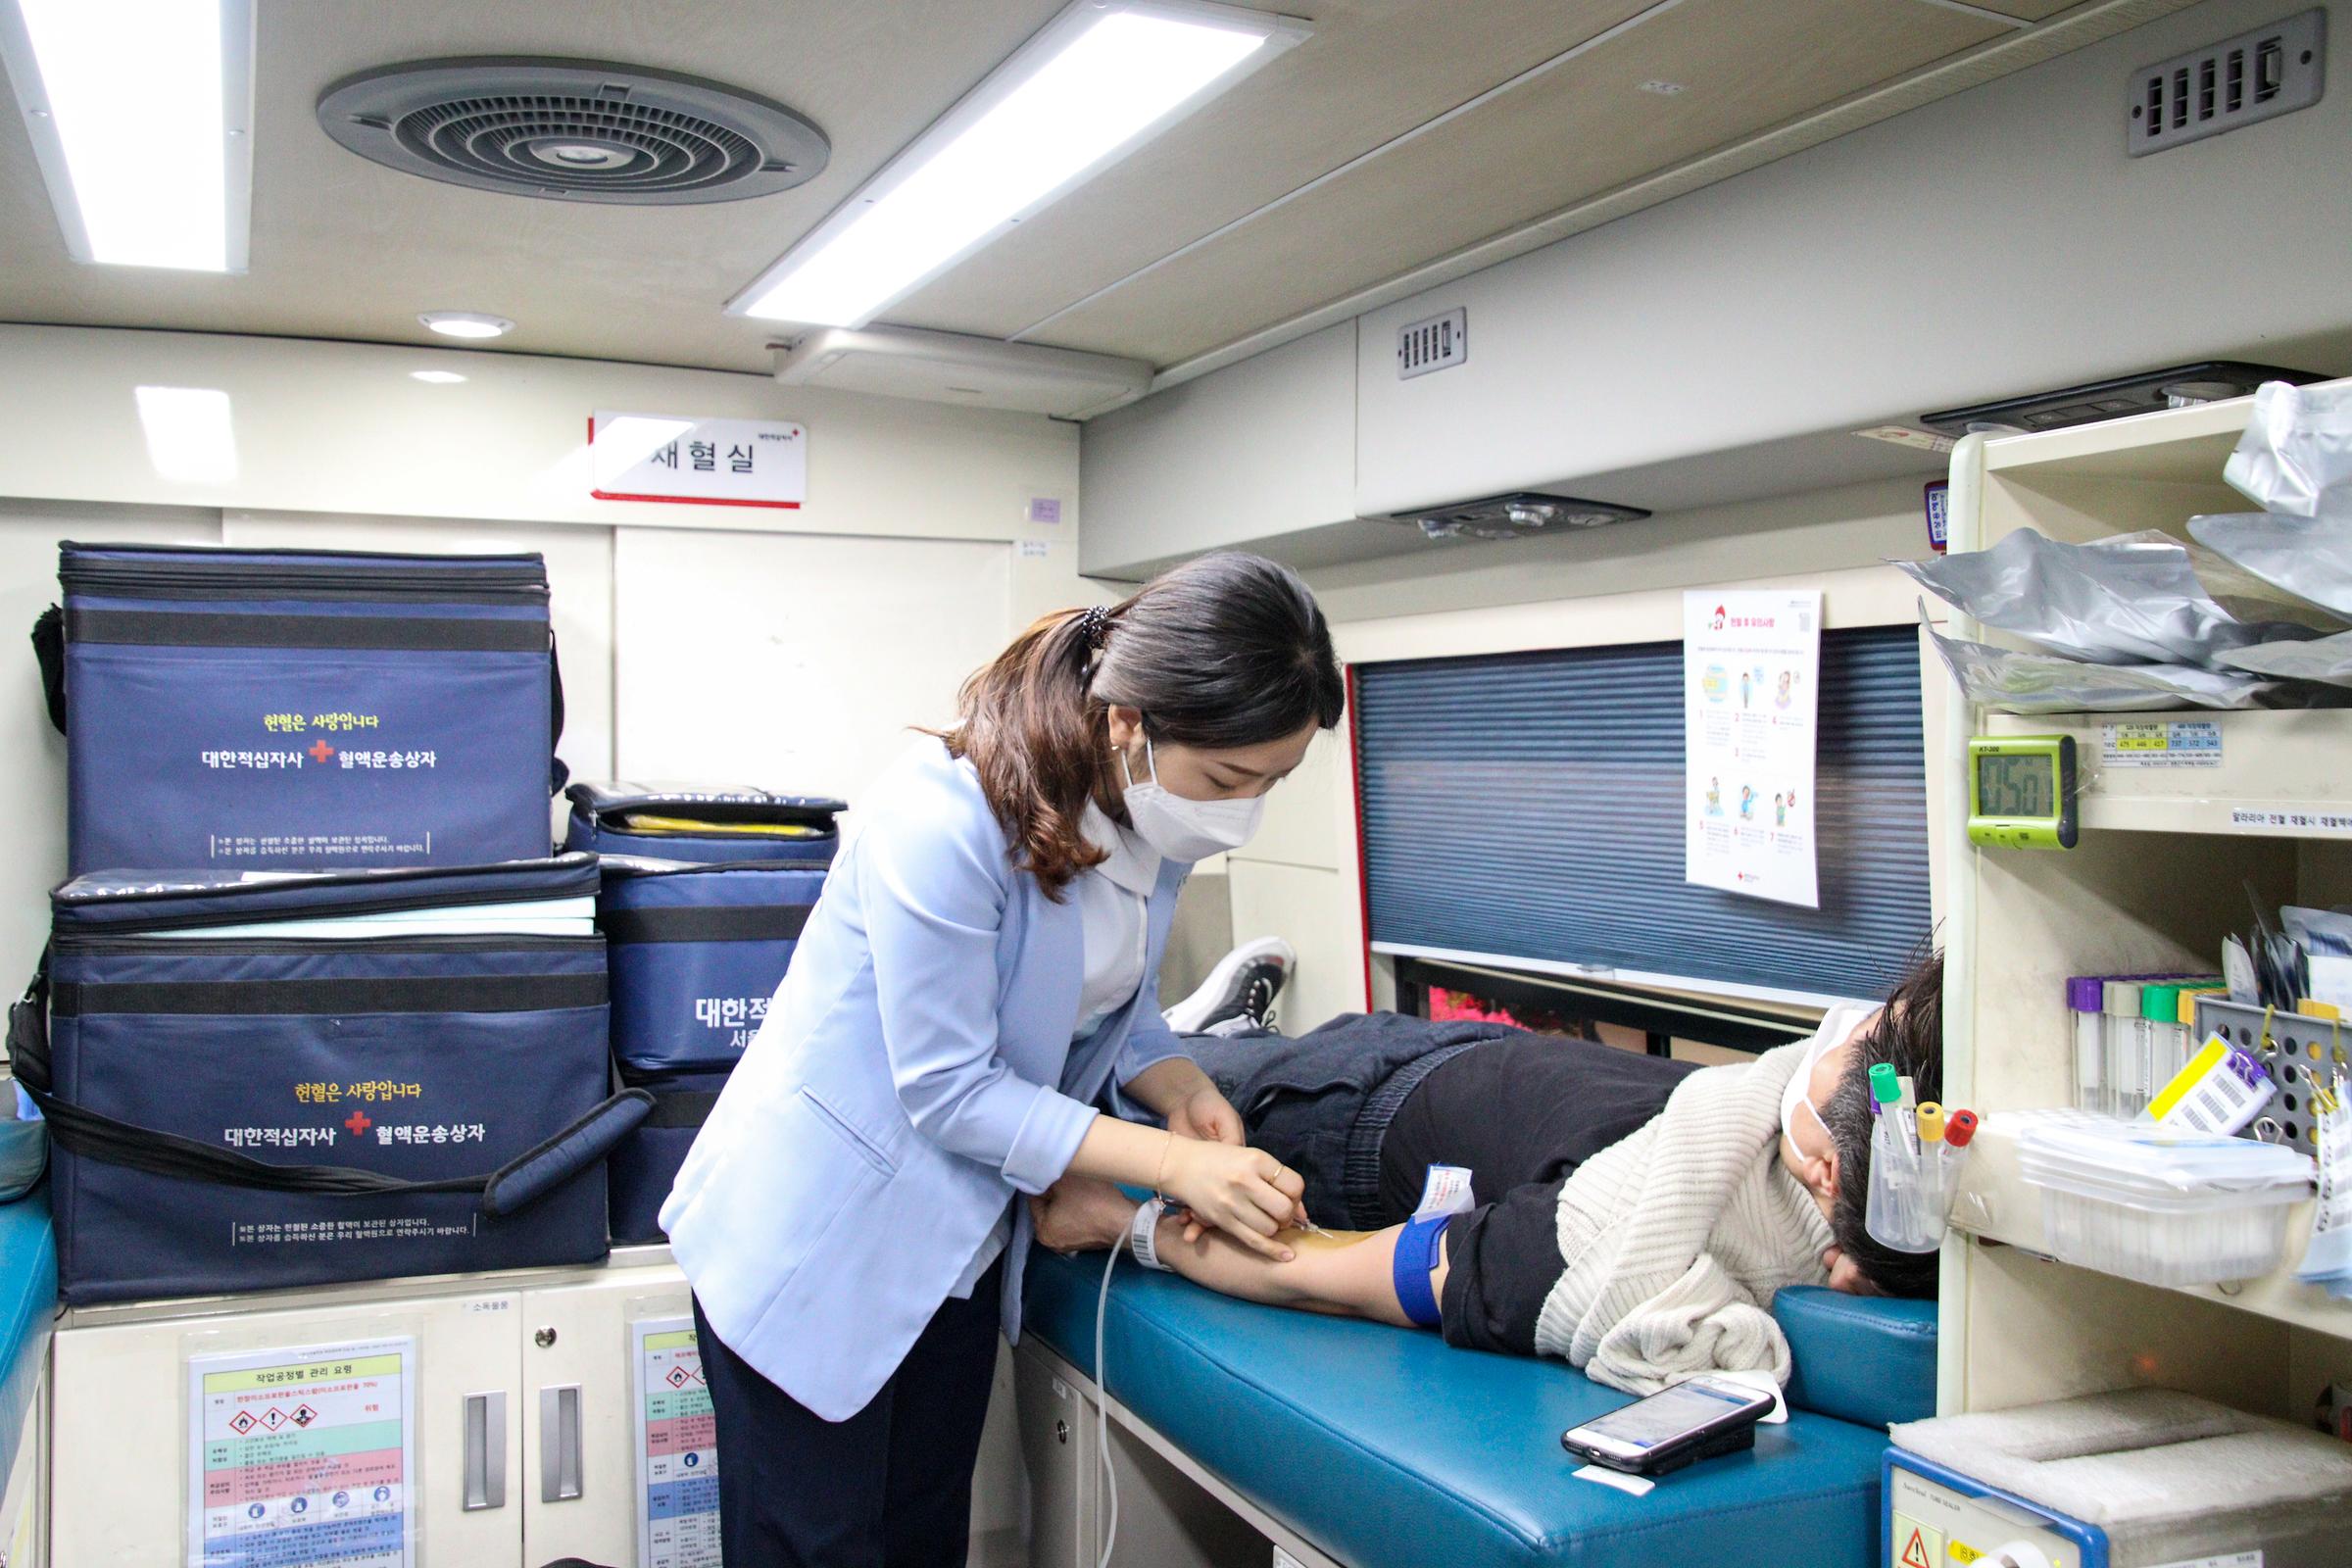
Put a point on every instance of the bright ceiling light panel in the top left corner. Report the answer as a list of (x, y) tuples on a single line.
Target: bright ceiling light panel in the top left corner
[(140, 116)]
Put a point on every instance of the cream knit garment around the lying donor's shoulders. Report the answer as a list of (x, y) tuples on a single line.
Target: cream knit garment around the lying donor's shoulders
[(1678, 1238)]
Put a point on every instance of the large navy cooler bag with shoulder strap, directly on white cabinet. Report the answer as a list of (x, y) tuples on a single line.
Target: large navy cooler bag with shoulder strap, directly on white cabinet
[(321, 1078)]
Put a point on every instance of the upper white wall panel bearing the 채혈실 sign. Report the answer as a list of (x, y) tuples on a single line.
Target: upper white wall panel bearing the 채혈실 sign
[(347, 429)]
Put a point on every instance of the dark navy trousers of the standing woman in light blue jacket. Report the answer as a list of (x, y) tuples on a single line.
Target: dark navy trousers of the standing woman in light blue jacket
[(886, 1489)]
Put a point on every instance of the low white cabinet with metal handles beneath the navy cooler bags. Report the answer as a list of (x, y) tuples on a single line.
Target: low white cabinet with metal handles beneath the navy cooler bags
[(523, 1395)]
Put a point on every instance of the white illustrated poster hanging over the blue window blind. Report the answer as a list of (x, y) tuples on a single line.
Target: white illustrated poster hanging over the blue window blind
[(1751, 674)]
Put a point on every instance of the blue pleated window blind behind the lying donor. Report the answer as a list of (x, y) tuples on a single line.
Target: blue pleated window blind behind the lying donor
[(1528, 808)]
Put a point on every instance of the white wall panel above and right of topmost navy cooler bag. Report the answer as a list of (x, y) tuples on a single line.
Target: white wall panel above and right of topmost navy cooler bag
[(580, 596)]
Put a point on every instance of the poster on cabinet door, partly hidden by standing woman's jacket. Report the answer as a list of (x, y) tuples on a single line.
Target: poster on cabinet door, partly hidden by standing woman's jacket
[(679, 1456)]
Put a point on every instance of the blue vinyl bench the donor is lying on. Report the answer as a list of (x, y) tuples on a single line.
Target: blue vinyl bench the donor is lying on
[(1389, 1449)]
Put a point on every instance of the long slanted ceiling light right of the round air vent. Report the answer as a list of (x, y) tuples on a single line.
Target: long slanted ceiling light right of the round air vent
[(1090, 88)]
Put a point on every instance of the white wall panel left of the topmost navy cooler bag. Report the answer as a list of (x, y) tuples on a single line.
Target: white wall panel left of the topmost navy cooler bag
[(34, 784)]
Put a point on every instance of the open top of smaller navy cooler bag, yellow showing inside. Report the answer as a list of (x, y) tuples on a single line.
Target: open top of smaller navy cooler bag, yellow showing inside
[(688, 824)]
